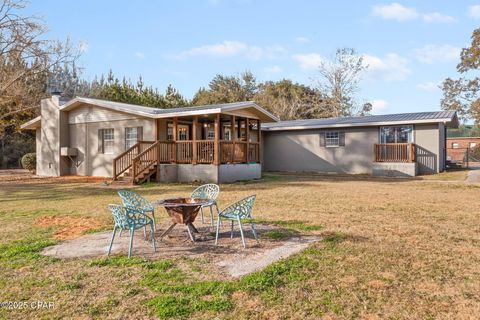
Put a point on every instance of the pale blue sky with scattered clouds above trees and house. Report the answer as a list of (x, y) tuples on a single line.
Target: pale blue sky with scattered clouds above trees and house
[(410, 47)]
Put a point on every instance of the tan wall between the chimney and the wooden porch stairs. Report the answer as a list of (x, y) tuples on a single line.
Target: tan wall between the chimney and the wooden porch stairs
[(84, 137)]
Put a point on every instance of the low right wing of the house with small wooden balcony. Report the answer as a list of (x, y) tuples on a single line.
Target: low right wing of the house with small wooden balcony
[(394, 145)]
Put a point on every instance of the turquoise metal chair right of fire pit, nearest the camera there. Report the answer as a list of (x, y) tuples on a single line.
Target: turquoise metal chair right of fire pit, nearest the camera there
[(241, 210)]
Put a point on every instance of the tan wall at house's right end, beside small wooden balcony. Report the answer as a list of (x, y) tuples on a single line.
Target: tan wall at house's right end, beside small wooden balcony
[(428, 148)]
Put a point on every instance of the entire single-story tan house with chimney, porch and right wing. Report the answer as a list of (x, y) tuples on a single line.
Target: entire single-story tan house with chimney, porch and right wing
[(228, 142)]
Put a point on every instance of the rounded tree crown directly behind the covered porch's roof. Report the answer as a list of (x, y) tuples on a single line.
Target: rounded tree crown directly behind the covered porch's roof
[(225, 89)]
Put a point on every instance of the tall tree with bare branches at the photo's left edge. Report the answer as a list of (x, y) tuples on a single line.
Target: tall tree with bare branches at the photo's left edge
[(27, 61)]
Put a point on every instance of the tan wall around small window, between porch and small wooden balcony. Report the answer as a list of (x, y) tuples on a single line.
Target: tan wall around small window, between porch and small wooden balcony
[(300, 150)]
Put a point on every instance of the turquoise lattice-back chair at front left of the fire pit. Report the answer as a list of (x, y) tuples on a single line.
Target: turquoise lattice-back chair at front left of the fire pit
[(131, 219)]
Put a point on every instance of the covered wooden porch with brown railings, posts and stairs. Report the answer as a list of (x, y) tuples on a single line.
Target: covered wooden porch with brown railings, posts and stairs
[(202, 139)]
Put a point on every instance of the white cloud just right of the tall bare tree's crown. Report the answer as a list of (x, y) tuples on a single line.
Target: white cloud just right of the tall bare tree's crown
[(390, 68)]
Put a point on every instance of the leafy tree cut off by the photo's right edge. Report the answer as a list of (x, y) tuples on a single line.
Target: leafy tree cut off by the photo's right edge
[(462, 94)]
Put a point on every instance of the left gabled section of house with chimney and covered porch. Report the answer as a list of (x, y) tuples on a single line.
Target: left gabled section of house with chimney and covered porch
[(91, 137)]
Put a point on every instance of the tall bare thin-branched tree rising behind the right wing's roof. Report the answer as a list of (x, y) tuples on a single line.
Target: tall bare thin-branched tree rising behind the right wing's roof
[(339, 82)]
